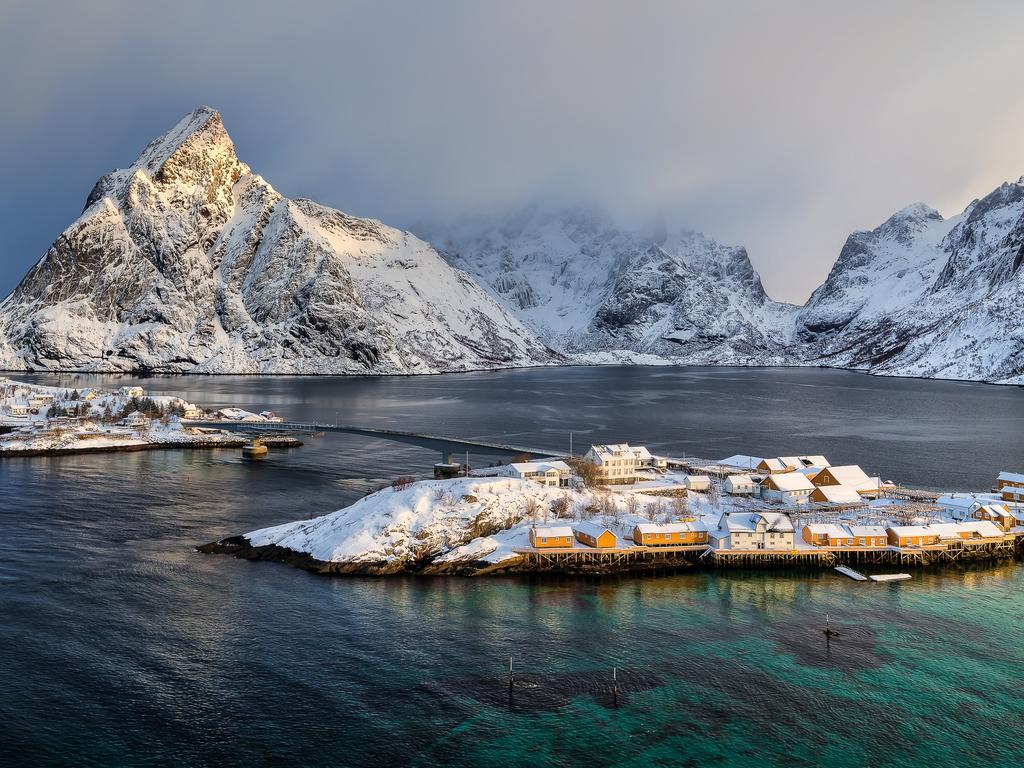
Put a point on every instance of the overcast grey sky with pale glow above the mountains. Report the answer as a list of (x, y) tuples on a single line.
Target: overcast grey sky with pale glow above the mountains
[(779, 126)]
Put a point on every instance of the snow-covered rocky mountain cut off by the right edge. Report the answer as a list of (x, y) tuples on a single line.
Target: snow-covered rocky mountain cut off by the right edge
[(927, 296)]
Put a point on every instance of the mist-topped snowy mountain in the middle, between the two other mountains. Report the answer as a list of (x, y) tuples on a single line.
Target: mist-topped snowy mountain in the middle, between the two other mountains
[(586, 286)]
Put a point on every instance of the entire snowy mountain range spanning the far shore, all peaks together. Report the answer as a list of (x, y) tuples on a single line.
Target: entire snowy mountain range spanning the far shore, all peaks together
[(187, 262)]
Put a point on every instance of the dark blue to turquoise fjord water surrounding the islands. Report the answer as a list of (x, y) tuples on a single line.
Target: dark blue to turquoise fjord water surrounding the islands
[(120, 646)]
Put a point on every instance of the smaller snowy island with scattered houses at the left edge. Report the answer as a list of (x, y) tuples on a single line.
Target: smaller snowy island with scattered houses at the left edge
[(38, 420)]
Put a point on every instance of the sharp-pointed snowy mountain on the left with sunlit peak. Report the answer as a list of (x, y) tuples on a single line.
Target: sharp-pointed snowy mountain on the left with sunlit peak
[(187, 262)]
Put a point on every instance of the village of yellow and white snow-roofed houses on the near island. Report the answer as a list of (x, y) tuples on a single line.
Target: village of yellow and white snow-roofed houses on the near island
[(750, 511)]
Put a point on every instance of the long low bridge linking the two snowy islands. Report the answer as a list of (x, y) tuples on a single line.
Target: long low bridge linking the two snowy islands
[(447, 446)]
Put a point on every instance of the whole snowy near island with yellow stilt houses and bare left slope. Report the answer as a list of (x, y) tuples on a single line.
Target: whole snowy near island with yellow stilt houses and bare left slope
[(647, 514)]
